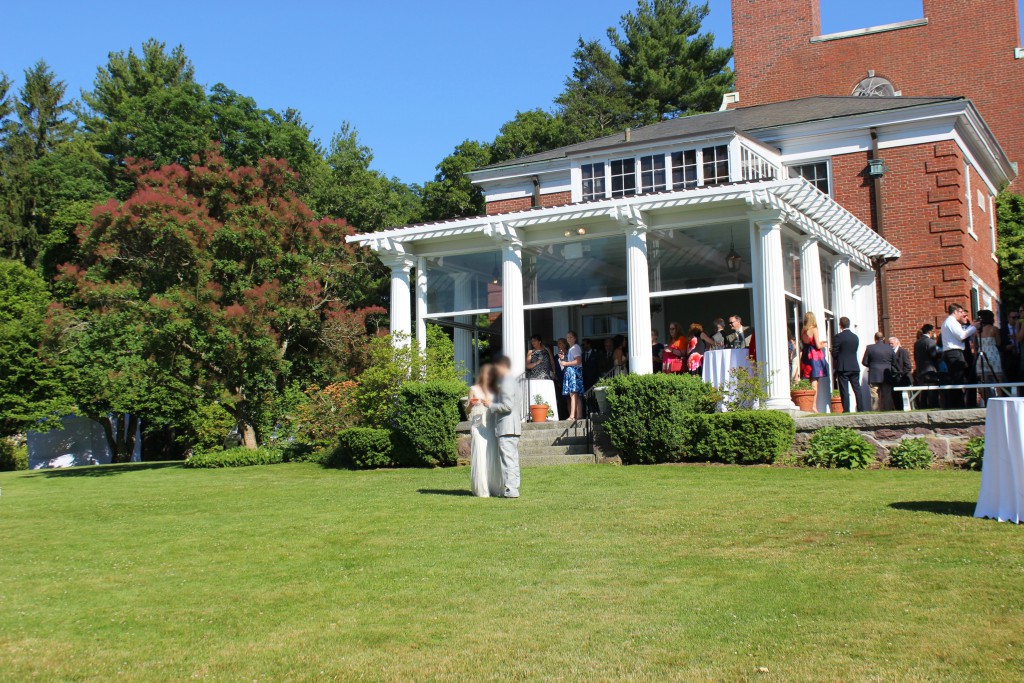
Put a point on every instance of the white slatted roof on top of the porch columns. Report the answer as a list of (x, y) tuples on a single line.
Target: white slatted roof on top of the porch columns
[(801, 204)]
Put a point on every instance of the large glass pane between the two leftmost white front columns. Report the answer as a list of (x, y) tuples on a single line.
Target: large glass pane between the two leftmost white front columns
[(464, 282)]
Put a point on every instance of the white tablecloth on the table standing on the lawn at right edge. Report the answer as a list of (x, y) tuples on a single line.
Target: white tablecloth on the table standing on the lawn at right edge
[(1002, 495)]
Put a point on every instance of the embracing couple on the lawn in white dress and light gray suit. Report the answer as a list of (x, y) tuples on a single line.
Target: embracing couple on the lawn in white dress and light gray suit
[(497, 424)]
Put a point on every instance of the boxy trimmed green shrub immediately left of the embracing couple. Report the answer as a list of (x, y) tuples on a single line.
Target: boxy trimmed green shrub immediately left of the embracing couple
[(425, 423)]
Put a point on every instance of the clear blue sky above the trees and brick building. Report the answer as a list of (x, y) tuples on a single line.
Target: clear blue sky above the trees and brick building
[(416, 78)]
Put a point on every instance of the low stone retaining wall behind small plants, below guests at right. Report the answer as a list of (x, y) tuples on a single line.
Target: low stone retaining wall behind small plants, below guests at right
[(947, 433)]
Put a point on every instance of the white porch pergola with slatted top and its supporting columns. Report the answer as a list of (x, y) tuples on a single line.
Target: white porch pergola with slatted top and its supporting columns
[(769, 207)]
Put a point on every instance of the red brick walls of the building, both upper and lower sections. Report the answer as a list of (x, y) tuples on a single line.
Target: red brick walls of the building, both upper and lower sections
[(933, 199)]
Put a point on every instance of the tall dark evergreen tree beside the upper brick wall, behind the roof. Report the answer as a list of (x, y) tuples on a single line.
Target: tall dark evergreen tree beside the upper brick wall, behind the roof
[(670, 67)]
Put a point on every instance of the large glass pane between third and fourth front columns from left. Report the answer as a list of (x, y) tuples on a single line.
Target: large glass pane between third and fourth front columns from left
[(689, 259)]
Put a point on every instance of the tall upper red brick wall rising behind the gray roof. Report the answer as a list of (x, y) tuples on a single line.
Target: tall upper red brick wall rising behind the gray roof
[(967, 49)]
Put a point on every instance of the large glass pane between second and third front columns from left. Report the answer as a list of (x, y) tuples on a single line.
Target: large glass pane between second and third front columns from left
[(576, 270)]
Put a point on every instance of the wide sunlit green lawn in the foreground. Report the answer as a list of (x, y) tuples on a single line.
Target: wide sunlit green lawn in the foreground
[(293, 573)]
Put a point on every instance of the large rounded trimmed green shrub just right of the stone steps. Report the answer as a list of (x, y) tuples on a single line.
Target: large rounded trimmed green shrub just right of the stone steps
[(649, 422)]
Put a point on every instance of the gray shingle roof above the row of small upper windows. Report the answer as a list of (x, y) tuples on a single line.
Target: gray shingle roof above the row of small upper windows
[(746, 119)]
